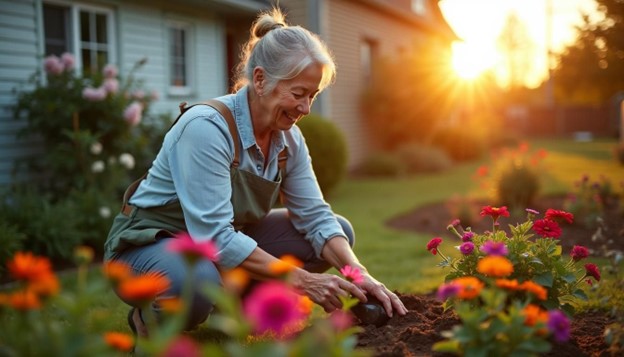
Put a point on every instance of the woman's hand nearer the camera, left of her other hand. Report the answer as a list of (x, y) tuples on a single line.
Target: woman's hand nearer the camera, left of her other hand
[(325, 289)]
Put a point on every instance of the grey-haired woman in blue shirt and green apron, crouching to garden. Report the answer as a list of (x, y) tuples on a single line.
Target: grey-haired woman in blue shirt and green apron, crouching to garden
[(218, 177)]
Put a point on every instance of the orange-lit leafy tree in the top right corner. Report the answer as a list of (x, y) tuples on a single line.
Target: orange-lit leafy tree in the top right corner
[(591, 70)]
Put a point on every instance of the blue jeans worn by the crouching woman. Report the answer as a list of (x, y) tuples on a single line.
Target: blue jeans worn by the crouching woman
[(275, 234)]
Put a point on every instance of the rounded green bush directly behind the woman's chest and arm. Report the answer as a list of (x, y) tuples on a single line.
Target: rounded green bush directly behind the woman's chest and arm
[(328, 149)]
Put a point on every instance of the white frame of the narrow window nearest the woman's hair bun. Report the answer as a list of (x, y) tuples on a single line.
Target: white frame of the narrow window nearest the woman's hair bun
[(187, 27)]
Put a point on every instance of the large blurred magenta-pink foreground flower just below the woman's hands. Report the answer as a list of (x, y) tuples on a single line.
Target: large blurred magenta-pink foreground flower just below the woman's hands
[(273, 306)]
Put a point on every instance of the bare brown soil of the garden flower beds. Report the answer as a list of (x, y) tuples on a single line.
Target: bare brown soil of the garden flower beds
[(415, 333)]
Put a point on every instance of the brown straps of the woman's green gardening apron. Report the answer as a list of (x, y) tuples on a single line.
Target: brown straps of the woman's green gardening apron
[(225, 112)]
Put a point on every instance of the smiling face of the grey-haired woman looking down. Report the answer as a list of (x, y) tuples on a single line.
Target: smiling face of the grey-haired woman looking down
[(292, 98)]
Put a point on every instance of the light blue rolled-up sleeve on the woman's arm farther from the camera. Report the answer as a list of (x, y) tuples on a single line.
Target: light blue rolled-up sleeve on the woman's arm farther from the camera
[(309, 212)]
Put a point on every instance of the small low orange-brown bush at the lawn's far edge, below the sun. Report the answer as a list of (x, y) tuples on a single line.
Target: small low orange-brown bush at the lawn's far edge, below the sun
[(422, 158)]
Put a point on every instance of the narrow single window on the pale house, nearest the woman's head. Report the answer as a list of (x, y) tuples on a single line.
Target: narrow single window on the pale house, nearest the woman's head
[(179, 68)]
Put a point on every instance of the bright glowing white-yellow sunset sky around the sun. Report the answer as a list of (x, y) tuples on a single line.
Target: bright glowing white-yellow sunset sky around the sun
[(479, 23)]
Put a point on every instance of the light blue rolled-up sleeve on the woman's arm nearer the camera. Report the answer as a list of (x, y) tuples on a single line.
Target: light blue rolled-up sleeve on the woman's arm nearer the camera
[(200, 155)]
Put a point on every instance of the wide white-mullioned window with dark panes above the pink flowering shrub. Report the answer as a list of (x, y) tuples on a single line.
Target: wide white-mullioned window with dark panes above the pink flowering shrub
[(85, 31)]
